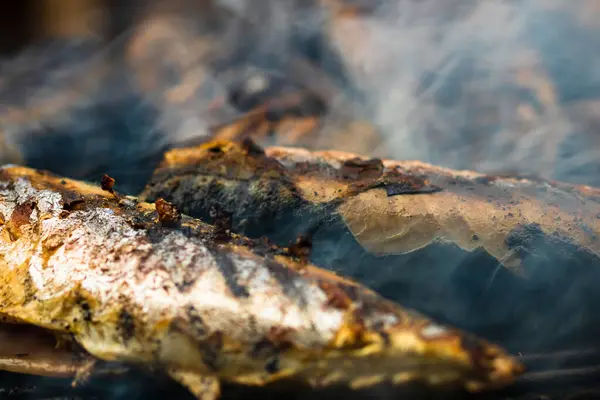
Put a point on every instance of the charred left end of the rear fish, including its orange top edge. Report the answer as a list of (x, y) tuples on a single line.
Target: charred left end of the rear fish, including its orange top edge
[(255, 190)]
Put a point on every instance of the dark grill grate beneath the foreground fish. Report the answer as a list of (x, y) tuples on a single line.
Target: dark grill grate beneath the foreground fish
[(559, 375)]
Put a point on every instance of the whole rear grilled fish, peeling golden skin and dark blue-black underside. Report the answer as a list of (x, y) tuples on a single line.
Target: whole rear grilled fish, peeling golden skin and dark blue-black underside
[(478, 251)]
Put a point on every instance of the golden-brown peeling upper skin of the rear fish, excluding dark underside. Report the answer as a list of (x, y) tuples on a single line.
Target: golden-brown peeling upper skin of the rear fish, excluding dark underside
[(391, 207)]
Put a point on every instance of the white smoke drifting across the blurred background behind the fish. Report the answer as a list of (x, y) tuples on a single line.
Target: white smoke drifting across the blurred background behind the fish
[(496, 86)]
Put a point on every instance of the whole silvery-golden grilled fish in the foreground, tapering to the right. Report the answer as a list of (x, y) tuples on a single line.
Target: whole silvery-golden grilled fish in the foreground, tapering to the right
[(78, 259)]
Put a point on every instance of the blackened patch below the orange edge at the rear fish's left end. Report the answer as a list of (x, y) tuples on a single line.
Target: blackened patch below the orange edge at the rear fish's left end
[(258, 207)]
